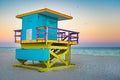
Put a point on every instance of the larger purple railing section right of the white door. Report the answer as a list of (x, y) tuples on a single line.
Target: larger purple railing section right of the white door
[(64, 34)]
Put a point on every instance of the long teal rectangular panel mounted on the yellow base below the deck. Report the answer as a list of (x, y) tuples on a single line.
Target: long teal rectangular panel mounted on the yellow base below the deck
[(32, 54)]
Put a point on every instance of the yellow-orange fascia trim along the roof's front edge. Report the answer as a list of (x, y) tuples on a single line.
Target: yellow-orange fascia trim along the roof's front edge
[(44, 10)]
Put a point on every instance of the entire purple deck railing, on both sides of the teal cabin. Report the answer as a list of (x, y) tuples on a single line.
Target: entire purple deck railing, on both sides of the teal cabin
[(62, 34)]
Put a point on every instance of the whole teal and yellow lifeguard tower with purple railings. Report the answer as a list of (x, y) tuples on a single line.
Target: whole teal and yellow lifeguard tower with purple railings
[(43, 43)]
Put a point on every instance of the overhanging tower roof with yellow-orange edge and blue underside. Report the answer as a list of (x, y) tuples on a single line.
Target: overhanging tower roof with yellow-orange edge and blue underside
[(47, 12)]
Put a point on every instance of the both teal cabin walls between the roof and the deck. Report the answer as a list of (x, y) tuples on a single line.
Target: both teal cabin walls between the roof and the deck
[(38, 20)]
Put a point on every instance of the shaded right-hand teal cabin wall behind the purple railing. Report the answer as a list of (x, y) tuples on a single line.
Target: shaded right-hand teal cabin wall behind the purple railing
[(49, 22)]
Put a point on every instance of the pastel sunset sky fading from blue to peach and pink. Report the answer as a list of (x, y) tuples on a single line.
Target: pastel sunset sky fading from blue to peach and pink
[(98, 21)]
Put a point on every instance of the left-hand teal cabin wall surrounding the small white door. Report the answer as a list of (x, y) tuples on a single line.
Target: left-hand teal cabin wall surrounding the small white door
[(29, 22)]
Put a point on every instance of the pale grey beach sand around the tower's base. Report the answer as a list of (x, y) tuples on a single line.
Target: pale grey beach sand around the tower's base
[(89, 68)]
